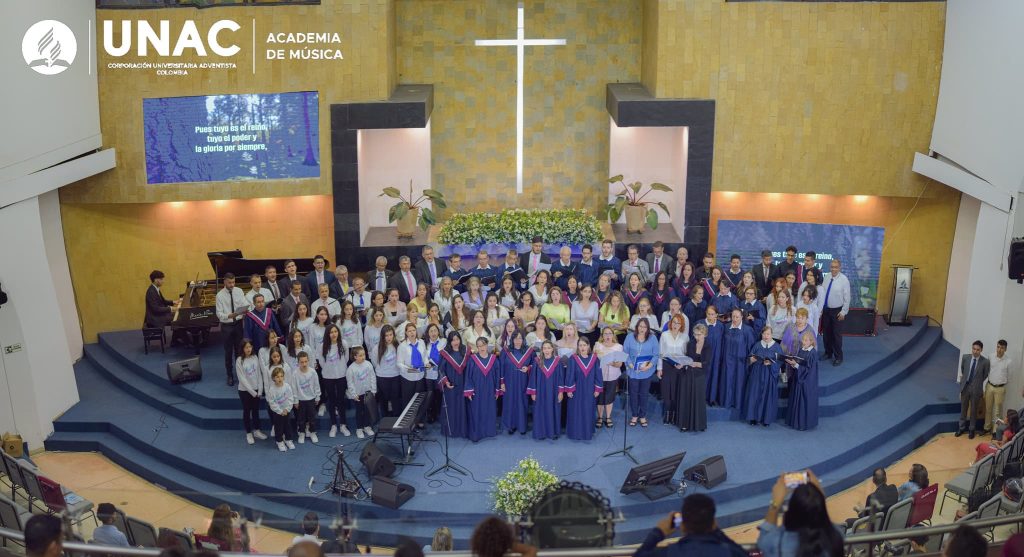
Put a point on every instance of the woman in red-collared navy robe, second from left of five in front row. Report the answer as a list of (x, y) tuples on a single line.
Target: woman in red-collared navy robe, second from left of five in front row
[(483, 389)]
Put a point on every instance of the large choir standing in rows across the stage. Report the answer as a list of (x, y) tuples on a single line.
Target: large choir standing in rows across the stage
[(552, 340)]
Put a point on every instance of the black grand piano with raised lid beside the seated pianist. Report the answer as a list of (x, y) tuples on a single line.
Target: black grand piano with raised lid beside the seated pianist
[(197, 314)]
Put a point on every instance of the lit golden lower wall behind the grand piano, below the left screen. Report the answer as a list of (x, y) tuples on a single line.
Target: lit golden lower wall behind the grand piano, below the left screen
[(112, 248)]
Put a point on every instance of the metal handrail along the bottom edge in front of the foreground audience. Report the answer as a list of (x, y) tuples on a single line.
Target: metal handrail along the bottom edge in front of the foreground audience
[(619, 551)]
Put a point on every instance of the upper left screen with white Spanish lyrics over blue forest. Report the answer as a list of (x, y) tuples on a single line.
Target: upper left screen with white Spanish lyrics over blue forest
[(232, 138)]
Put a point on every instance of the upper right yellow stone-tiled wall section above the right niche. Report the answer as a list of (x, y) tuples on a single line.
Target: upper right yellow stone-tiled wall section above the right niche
[(817, 97)]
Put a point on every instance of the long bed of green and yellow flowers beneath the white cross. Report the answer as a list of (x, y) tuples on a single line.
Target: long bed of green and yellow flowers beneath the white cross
[(574, 227)]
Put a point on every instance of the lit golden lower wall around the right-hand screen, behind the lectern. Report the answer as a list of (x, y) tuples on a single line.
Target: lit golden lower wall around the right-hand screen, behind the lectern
[(925, 240)]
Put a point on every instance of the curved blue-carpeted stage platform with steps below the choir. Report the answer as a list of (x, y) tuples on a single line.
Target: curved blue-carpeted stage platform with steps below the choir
[(892, 395)]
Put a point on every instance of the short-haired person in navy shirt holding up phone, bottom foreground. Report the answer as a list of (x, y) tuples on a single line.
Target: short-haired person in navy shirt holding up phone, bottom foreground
[(702, 537)]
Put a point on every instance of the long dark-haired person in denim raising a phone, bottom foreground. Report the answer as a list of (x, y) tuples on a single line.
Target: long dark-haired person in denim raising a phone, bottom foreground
[(806, 528)]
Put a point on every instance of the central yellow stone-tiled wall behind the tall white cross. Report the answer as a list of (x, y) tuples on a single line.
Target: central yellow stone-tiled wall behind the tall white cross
[(566, 156)]
